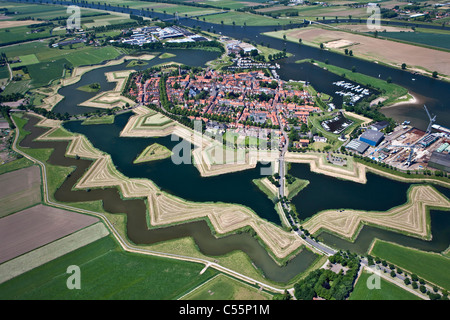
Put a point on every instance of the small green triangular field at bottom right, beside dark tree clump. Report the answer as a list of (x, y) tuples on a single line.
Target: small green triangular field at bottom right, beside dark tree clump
[(387, 291)]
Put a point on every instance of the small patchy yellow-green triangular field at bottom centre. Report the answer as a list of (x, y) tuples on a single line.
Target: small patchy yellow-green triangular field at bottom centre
[(222, 287)]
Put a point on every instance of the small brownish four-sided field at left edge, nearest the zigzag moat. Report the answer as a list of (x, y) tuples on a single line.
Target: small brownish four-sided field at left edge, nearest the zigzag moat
[(19, 189)]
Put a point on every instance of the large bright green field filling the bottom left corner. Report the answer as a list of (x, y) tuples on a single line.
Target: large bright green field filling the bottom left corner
[(107, 272)]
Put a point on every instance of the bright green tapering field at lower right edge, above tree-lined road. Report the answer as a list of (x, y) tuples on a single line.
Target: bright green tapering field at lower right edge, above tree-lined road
[(429, 266)]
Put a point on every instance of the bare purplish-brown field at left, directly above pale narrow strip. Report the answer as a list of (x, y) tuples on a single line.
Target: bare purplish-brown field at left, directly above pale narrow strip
[(37, 226)]
